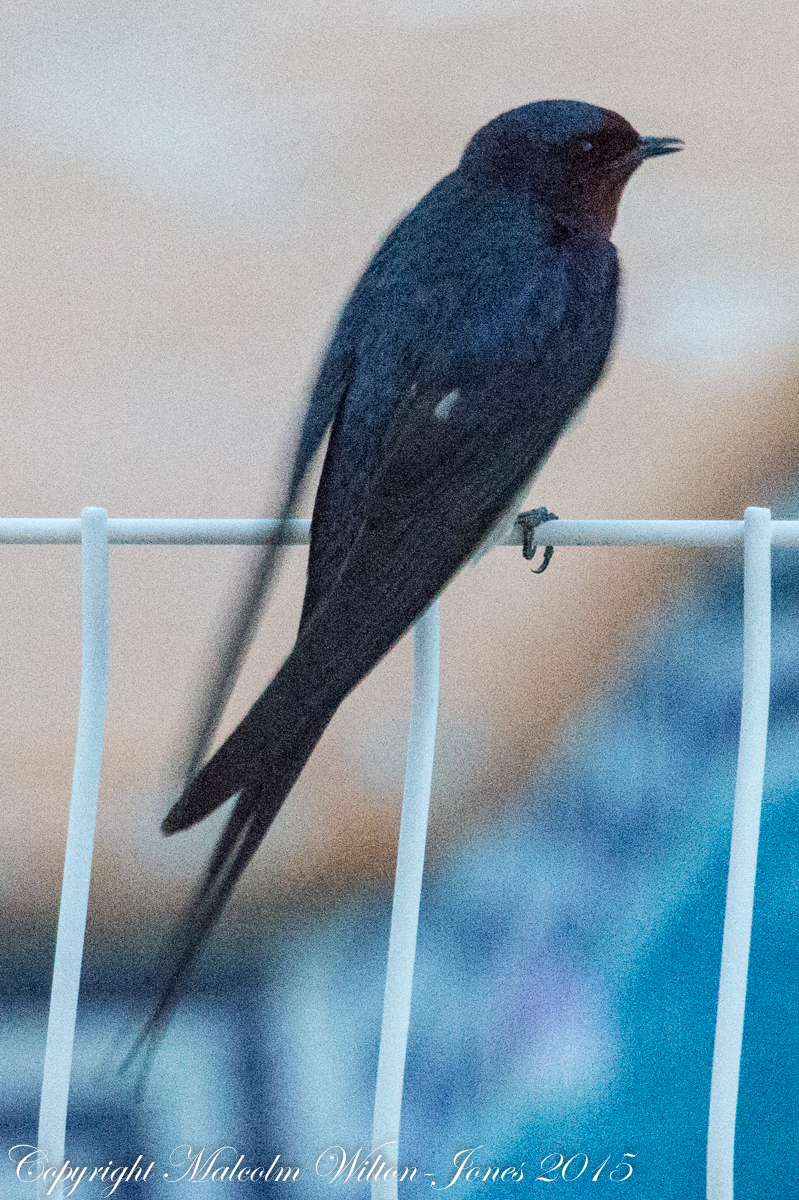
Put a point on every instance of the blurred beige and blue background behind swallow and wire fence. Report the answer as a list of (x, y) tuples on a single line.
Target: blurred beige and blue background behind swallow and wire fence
[(188, 195)]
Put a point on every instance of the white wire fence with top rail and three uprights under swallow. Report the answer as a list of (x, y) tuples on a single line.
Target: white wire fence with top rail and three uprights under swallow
[(95, 532)]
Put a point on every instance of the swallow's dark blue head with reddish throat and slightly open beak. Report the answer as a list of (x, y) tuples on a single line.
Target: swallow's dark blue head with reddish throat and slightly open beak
[(573, 158)]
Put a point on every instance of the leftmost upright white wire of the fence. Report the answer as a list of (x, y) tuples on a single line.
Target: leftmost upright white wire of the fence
[(81, 835)]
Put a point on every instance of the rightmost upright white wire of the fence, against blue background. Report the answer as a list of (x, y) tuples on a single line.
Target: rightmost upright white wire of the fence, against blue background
[(743, 853)]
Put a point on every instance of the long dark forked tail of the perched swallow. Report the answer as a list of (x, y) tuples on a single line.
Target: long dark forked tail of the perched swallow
[(261, 761)]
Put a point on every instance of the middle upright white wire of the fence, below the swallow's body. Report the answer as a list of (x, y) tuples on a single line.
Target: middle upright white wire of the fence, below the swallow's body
[(407, 892)]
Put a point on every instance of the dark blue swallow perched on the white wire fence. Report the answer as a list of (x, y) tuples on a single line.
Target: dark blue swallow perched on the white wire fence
[(478, 329)]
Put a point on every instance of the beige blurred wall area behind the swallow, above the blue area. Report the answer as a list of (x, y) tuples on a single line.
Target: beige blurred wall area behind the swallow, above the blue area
[(188, 193)]
